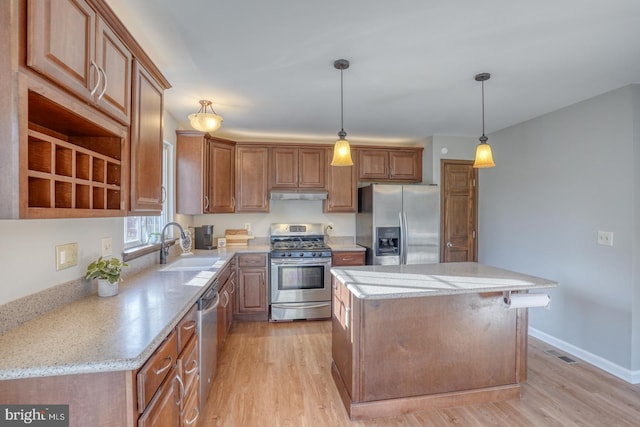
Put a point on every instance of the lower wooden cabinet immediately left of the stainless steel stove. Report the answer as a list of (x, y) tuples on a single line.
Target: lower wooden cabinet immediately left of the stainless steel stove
[(252, 295)]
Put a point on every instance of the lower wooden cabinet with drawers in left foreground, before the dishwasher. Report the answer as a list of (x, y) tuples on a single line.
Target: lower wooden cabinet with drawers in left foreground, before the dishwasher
[(160, 393)]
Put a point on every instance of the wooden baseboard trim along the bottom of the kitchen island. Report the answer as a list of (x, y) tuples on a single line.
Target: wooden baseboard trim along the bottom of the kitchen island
[(400, 406)]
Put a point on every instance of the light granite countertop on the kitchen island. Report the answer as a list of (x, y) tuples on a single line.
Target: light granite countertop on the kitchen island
[(418, 280)]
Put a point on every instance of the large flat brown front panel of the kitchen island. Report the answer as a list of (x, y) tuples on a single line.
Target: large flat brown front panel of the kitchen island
[(420, 346)]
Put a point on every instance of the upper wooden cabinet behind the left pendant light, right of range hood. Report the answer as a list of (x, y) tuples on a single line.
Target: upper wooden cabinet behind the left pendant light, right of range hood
[(341, 186)]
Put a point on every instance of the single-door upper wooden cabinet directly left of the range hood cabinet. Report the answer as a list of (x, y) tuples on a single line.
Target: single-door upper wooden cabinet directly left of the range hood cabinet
[(252, 174)]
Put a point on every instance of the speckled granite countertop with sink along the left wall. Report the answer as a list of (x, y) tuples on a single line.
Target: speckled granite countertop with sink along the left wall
[(118, 333)]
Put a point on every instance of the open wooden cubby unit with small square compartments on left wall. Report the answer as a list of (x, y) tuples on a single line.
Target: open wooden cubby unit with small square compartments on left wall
[(74, 167)]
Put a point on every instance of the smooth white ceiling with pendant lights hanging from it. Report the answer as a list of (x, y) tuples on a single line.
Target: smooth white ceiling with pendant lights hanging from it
[(268, 65)]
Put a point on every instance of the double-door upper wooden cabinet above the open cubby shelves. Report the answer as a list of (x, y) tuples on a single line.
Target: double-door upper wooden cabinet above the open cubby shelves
[(72, 45)]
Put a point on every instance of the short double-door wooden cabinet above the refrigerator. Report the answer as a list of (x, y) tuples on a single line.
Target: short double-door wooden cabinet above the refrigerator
[(390, 164)]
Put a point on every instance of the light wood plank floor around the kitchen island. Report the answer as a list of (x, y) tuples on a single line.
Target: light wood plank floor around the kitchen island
[(278, 374)]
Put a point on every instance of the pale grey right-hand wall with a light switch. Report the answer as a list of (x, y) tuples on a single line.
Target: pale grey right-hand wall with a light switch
[(558, 180)]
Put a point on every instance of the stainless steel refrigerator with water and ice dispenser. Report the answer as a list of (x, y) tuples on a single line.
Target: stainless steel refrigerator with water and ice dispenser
[(399, 224)]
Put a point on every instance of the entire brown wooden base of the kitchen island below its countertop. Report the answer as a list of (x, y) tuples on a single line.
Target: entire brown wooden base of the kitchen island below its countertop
[(398, 355)]
